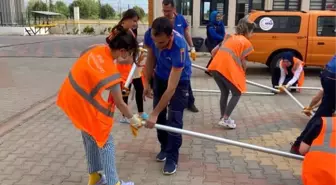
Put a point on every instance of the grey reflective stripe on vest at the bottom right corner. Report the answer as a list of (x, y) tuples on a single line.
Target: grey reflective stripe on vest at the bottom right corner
[(326, 147)]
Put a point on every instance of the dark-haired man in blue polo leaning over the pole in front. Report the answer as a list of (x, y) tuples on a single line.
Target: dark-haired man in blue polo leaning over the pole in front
[(168, 54)]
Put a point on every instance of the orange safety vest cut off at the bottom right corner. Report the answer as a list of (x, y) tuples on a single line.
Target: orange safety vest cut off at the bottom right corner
[(318, 167)]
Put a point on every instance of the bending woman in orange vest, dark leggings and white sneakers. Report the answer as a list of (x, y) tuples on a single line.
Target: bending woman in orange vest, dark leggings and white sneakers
[(228, 68)]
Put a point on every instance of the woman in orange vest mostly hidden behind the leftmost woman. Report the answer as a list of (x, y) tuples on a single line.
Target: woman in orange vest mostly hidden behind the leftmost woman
[(129, 22)]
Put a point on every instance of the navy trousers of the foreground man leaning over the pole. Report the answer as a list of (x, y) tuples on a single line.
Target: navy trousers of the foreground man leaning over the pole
[(171, 142)]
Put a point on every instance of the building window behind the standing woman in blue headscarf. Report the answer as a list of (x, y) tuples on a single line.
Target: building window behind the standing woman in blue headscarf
[(207, 6)]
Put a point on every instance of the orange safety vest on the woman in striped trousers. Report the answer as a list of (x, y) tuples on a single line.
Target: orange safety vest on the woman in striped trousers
[(80, 94)]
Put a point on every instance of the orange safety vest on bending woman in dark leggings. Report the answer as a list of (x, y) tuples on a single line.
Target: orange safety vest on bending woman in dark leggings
[(228, 60)]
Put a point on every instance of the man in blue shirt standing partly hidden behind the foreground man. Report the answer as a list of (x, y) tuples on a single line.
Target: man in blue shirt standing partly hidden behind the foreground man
[(181, 26)]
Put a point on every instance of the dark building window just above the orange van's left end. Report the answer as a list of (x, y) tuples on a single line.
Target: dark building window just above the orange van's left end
[(245, 6)]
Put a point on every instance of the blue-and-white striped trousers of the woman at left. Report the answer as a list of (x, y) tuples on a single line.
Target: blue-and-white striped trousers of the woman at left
[(101, 159)]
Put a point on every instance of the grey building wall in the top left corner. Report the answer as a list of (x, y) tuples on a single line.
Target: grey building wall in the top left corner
[(11, 12)]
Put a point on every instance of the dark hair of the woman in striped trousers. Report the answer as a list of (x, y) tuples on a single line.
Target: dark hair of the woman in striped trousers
[(124, 40)]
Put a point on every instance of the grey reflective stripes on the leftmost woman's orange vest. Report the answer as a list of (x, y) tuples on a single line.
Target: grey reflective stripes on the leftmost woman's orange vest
[(89, 97)]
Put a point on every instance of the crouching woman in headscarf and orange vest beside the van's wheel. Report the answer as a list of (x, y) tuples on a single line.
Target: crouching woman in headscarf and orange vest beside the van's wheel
[(289, 73)]
